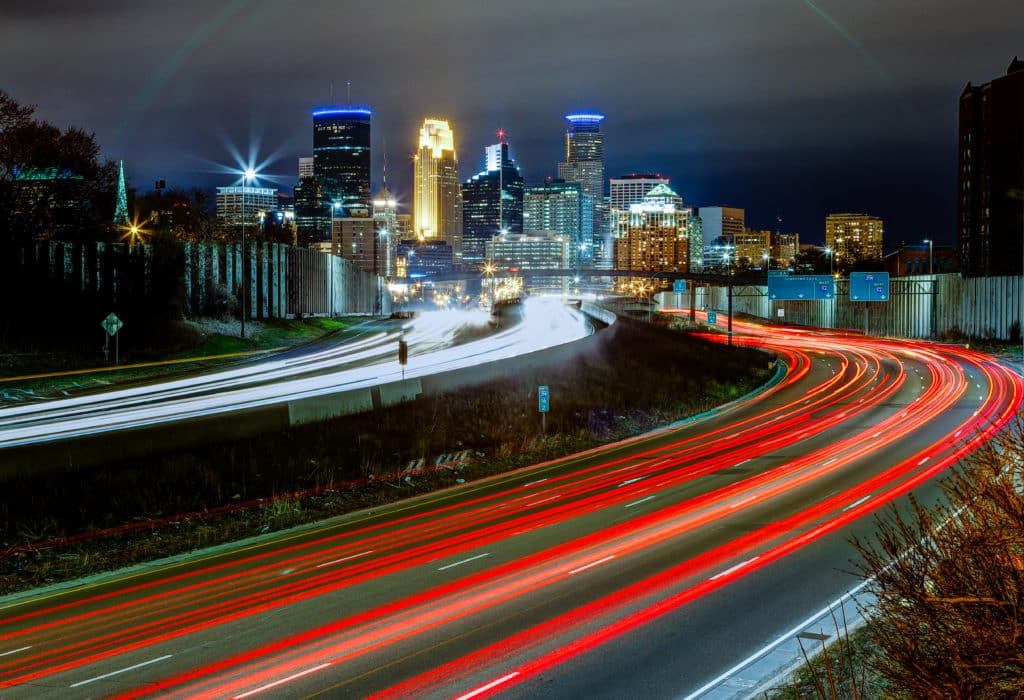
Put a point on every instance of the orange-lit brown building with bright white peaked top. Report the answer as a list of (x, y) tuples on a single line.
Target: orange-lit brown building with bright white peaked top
[(654, 236)]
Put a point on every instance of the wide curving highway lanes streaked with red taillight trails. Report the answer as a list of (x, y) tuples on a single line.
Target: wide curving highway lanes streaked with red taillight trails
[(641, 570)]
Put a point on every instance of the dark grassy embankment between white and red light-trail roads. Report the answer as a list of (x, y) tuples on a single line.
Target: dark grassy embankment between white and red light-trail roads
[(637, 379)]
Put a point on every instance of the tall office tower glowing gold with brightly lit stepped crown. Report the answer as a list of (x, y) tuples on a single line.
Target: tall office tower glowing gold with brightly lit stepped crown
[(437, 209)]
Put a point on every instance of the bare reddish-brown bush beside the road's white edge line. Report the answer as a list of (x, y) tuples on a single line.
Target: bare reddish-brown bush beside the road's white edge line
[(950, 583)]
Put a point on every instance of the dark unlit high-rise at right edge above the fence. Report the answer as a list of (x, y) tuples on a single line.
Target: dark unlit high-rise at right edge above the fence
[(991, 178)]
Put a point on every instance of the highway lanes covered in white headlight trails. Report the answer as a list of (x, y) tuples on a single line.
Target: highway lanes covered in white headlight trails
[(317, 370)]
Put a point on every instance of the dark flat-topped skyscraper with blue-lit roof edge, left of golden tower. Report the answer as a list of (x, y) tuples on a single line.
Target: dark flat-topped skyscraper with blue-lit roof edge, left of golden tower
[(342, 155)]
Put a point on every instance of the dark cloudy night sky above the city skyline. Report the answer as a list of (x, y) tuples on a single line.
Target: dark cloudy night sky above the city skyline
[(787, 108)]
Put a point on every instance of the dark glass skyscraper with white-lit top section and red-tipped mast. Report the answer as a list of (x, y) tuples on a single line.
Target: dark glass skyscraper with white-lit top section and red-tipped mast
[(484, 212)]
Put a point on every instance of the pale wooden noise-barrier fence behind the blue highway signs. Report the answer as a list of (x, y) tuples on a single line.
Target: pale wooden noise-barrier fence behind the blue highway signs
[(975, 308)]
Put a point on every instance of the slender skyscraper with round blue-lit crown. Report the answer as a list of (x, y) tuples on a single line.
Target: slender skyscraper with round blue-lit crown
[(585, 164)]
